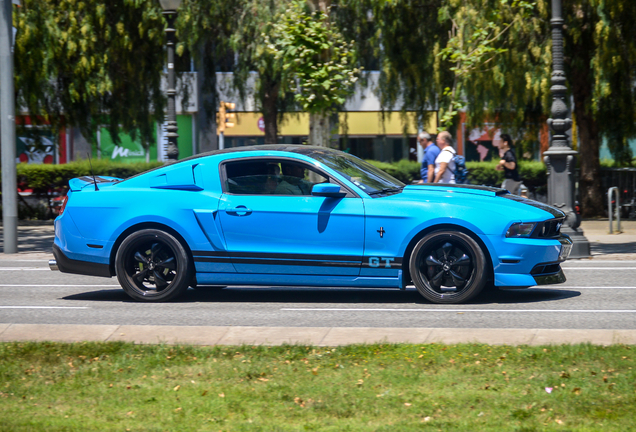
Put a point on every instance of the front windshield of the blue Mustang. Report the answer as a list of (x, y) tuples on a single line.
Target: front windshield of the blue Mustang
[(370, 179)]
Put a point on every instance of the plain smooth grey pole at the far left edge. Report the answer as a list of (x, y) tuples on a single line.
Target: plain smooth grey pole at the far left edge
[(7, 131)]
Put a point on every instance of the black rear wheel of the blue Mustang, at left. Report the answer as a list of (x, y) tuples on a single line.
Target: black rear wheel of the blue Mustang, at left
[(152, 266)]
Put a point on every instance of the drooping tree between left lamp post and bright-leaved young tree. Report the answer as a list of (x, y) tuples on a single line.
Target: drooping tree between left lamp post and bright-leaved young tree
[(215, 30)]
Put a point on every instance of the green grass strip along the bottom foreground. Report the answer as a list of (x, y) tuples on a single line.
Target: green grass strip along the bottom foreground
[(386, 387)]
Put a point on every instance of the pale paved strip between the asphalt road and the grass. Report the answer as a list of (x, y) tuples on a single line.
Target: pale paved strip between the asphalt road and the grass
[(317, 336)]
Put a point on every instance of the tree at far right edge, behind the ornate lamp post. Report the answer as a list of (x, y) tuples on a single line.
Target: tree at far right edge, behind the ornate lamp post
[(600, 57)]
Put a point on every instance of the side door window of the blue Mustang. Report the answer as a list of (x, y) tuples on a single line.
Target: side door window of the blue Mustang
[(271, 177)]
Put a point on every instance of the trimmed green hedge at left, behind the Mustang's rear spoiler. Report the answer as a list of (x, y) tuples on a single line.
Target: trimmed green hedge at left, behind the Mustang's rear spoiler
[(42, 178)]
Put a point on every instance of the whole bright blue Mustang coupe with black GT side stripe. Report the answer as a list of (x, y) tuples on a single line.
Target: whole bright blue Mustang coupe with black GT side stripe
[(282, 215)]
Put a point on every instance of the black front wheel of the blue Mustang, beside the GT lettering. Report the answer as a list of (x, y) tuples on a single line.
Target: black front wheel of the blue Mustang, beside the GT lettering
[(448, 267)]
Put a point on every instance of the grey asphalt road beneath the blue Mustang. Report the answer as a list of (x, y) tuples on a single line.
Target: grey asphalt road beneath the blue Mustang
[(597, 295)]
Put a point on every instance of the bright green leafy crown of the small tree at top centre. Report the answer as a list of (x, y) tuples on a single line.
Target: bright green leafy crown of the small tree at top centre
[(317, 60)]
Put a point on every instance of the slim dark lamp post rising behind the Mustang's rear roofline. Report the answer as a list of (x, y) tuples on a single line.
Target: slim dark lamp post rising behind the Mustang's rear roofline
[(170, 11)]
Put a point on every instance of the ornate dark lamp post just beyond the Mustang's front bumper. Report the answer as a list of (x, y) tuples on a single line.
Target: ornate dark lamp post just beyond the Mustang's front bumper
[(560, 158)]
